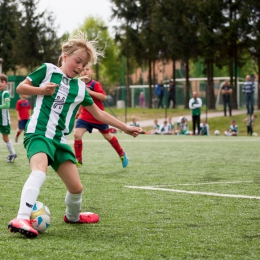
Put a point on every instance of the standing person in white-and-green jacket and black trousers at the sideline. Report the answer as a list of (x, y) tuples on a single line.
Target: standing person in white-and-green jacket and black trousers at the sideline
[(195, 104)]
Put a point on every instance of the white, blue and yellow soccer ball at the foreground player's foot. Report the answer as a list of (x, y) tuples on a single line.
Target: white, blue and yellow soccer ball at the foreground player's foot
[(40, 217)]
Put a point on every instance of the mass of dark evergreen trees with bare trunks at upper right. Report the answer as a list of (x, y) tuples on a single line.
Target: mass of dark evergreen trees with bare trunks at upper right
[(218, 32)]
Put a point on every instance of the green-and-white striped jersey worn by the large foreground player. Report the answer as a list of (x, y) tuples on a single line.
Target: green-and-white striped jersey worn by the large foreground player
[(53, 116)]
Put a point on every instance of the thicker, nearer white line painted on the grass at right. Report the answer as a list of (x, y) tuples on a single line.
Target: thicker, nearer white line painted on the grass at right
[(194, 192)]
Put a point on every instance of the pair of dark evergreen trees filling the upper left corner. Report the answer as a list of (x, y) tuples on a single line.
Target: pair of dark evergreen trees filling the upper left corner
[(27, 38)]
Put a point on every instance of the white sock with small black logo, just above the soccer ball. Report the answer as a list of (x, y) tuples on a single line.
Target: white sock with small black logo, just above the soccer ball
[(30, 192)]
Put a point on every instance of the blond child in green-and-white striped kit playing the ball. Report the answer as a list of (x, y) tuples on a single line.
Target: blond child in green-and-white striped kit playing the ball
[(59, 96)]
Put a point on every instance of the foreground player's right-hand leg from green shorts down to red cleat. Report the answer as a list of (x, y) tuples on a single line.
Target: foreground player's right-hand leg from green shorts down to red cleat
[(67, 171)]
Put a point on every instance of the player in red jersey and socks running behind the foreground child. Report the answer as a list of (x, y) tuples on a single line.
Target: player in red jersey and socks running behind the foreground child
[(86, 122)]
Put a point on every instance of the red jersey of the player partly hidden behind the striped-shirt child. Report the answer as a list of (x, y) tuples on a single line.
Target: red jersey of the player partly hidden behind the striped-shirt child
[(84, 114)]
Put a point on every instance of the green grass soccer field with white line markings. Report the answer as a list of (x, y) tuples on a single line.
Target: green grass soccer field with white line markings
[(181, 197)]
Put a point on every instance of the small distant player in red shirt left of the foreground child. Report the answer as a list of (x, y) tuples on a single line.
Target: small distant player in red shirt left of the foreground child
[(23, 113)]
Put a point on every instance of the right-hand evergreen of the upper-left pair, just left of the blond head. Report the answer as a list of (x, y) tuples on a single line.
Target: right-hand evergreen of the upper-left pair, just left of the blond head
[(37, 41)]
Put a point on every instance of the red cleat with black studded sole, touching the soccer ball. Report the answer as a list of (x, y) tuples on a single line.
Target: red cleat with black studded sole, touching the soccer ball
[(22, 226)]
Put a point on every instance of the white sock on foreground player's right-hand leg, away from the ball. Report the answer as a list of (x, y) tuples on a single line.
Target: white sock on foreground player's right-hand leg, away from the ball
[(73, 206)]
